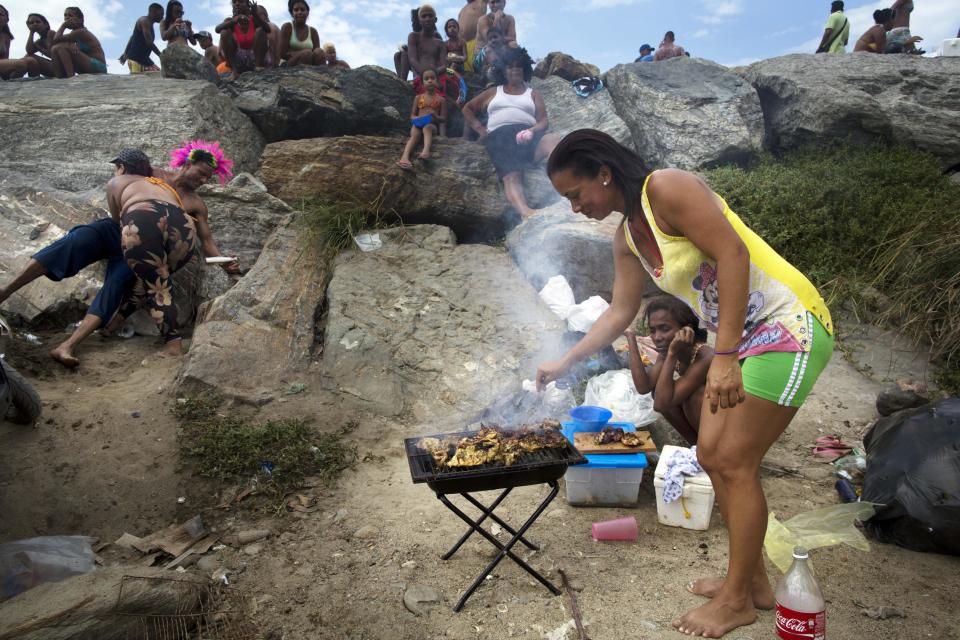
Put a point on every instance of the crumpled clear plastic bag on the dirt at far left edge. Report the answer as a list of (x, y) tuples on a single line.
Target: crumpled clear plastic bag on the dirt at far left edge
[(26, 563)]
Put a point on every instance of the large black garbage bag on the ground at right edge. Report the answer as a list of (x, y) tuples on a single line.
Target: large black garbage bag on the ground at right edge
[(913, 468)]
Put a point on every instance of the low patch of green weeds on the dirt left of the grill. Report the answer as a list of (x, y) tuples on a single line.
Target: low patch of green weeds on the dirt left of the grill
[(274, 457)]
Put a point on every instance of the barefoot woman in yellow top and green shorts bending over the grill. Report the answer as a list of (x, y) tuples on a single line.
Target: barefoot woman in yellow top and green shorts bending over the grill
[(773, 337)]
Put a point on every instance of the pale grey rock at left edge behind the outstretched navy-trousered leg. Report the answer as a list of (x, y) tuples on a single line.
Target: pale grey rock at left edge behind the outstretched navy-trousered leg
[(30, 220)]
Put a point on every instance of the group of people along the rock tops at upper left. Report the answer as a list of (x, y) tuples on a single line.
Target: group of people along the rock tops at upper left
[(245, 41)]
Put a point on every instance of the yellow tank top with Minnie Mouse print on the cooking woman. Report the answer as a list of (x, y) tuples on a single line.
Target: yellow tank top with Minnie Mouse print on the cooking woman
[(779, 296)]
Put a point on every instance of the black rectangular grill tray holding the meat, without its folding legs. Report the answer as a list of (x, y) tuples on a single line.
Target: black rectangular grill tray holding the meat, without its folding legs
[(423, 468)]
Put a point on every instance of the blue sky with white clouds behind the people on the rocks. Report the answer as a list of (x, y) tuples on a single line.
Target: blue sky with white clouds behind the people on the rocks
[(601, 32)]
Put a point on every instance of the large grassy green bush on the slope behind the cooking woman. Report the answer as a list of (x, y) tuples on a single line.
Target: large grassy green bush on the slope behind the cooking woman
[(876, 226)]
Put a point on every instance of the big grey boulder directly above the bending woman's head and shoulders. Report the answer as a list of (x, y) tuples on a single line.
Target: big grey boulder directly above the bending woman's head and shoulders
[(687, 112)]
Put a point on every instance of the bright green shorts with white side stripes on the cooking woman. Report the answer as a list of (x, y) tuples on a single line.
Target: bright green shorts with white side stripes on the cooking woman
[(786, 378)]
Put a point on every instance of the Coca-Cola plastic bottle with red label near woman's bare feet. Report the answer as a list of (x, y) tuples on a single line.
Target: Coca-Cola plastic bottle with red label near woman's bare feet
[(801, 610)]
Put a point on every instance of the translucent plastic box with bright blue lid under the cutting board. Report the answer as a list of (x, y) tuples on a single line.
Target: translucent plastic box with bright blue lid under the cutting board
[(607, 480)]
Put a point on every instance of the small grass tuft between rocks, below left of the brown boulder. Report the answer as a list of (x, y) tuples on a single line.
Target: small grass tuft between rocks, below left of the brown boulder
[(332, 224)]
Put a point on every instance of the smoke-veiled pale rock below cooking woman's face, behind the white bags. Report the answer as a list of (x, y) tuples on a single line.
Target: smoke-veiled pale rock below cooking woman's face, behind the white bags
[(560, 242)]
